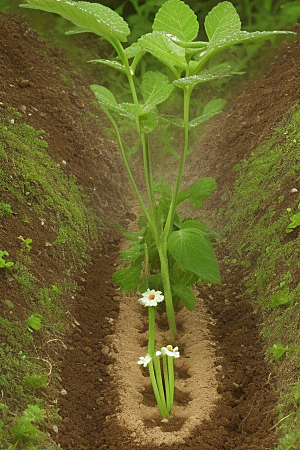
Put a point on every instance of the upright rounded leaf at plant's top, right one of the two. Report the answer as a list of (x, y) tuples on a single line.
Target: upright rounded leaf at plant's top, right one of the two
[(221, 22)]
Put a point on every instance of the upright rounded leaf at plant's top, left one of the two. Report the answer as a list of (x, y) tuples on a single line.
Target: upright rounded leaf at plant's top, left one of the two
[(176, 18)]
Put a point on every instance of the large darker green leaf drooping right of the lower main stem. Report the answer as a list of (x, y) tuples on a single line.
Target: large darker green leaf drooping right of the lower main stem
[(194, 252)]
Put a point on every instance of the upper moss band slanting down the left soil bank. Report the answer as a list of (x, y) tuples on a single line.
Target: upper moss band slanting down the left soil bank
[(35, 179)]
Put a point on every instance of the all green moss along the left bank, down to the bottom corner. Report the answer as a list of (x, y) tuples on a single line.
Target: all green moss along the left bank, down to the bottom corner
[(32, 178)]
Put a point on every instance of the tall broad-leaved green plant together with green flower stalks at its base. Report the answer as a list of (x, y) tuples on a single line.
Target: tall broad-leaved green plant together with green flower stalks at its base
[(169, 253)]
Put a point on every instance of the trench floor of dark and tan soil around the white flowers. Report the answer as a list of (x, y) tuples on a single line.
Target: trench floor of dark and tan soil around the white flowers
[(223, 395)]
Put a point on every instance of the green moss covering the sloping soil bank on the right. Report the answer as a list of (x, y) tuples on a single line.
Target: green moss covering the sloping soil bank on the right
[(257, 218)]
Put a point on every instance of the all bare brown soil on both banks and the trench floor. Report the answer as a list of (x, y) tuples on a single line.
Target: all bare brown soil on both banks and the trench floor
[(98, 367)]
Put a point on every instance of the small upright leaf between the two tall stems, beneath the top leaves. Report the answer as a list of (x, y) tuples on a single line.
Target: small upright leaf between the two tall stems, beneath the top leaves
[(155, 89)]
